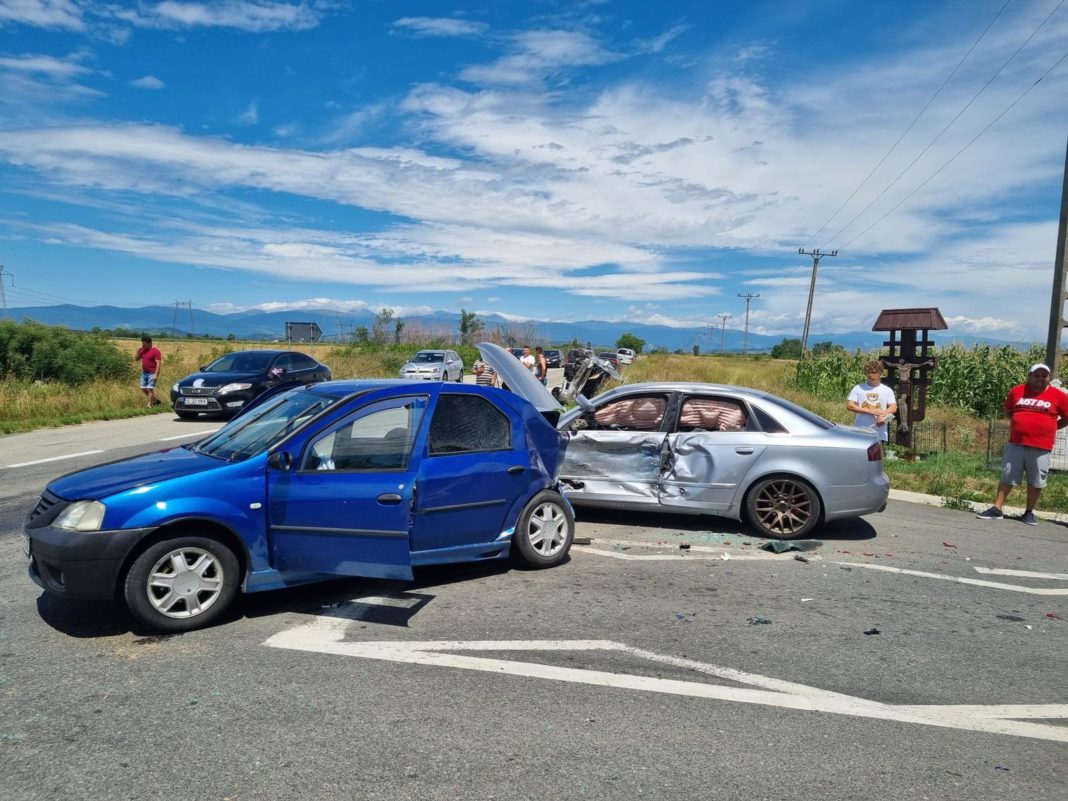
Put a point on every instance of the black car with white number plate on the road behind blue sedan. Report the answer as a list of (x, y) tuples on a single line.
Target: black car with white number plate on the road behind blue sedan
[(232, 382)]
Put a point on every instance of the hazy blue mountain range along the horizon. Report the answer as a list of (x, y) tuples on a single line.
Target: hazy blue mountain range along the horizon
[(271, 326)]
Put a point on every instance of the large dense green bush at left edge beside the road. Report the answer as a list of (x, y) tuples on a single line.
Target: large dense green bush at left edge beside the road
[(33, 352)]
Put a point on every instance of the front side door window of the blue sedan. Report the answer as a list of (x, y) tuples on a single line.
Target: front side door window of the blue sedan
[(380, 437)]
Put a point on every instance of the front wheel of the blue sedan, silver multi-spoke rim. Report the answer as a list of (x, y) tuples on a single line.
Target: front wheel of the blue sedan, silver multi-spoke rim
[(181, 585)]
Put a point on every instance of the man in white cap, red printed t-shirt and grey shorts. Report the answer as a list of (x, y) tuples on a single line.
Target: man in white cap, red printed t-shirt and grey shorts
[(1035, 412)]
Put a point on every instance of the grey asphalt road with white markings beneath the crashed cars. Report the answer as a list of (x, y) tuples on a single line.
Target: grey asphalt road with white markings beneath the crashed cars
[(638, 669)]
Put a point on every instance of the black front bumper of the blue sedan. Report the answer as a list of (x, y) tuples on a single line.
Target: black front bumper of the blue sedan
[(80, 564)]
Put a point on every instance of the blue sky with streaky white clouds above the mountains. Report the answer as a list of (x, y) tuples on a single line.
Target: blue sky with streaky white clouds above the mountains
[(549, 161)]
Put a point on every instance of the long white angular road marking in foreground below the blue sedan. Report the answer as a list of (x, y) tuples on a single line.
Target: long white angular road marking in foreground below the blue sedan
[(327, 636)]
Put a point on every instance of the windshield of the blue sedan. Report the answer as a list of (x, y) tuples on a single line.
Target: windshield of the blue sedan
[(250, 434)]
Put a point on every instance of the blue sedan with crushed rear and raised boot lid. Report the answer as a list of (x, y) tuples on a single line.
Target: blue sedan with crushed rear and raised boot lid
[(369, 478)]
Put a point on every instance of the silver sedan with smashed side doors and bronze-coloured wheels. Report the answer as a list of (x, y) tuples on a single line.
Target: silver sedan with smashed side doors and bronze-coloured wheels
[(703, 449)]
